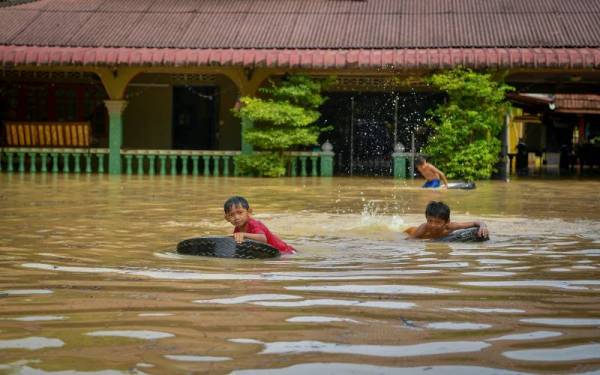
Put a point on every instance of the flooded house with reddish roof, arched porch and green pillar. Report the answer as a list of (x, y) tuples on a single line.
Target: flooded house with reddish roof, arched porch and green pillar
[(144, 86)]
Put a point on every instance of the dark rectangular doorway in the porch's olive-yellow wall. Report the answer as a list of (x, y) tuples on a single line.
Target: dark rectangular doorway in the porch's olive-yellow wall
[(195, 115)]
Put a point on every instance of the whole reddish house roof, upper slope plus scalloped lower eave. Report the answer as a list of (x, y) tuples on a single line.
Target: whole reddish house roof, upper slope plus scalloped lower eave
[(304, 33)]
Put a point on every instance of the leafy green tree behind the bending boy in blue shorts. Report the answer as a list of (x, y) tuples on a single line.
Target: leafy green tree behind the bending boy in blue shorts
[(465, 142)]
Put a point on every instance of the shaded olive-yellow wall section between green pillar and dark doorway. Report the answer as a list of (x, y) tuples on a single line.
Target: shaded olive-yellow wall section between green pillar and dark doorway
[(147, 118)]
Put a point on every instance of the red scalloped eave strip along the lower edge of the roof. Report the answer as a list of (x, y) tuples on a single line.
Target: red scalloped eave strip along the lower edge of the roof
[(365, 58)]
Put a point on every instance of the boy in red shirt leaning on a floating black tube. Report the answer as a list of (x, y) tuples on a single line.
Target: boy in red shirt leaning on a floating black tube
[(238, 213)]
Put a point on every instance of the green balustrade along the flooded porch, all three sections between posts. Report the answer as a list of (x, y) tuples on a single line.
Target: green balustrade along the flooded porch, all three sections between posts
[(149, 162)]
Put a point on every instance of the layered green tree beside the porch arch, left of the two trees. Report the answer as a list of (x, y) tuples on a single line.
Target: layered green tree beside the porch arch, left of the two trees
[(284, 117)]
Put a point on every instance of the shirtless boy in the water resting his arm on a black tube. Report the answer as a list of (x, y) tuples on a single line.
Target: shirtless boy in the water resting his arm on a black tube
[(438, 224)]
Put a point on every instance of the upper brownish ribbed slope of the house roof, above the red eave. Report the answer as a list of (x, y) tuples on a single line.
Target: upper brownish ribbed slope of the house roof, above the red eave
[(303, 24)]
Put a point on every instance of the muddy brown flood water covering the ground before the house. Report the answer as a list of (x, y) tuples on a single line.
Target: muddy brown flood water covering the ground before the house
[(90, 281)]
